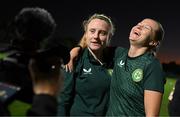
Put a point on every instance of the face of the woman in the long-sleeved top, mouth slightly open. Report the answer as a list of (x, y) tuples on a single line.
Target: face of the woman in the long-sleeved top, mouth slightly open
[(97, 34)]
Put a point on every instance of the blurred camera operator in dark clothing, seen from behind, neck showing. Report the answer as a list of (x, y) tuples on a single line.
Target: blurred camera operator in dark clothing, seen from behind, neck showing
[(46, 86)]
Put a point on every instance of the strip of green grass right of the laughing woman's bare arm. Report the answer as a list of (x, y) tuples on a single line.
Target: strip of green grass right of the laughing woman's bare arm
[(168, 88)]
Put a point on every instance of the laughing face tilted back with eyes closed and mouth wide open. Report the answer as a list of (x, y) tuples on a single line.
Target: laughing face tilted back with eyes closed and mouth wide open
[(143, 33)]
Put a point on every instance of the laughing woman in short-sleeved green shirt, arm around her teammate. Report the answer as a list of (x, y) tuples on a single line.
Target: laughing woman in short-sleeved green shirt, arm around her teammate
[(138, 80)]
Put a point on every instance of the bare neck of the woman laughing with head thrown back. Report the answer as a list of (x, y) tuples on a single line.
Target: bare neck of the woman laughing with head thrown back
[(136, 51)]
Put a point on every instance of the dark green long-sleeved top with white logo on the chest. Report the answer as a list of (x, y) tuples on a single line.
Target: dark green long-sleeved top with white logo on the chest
[(86, 90)]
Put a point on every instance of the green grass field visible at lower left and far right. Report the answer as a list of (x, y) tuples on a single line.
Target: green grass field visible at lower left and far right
[(19, 108)]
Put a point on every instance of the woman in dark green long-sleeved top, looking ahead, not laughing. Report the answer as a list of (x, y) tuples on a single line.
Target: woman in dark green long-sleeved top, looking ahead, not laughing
[(86, 89)]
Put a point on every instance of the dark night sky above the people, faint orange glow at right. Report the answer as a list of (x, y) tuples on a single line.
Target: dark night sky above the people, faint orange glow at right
[(69, 16)]
